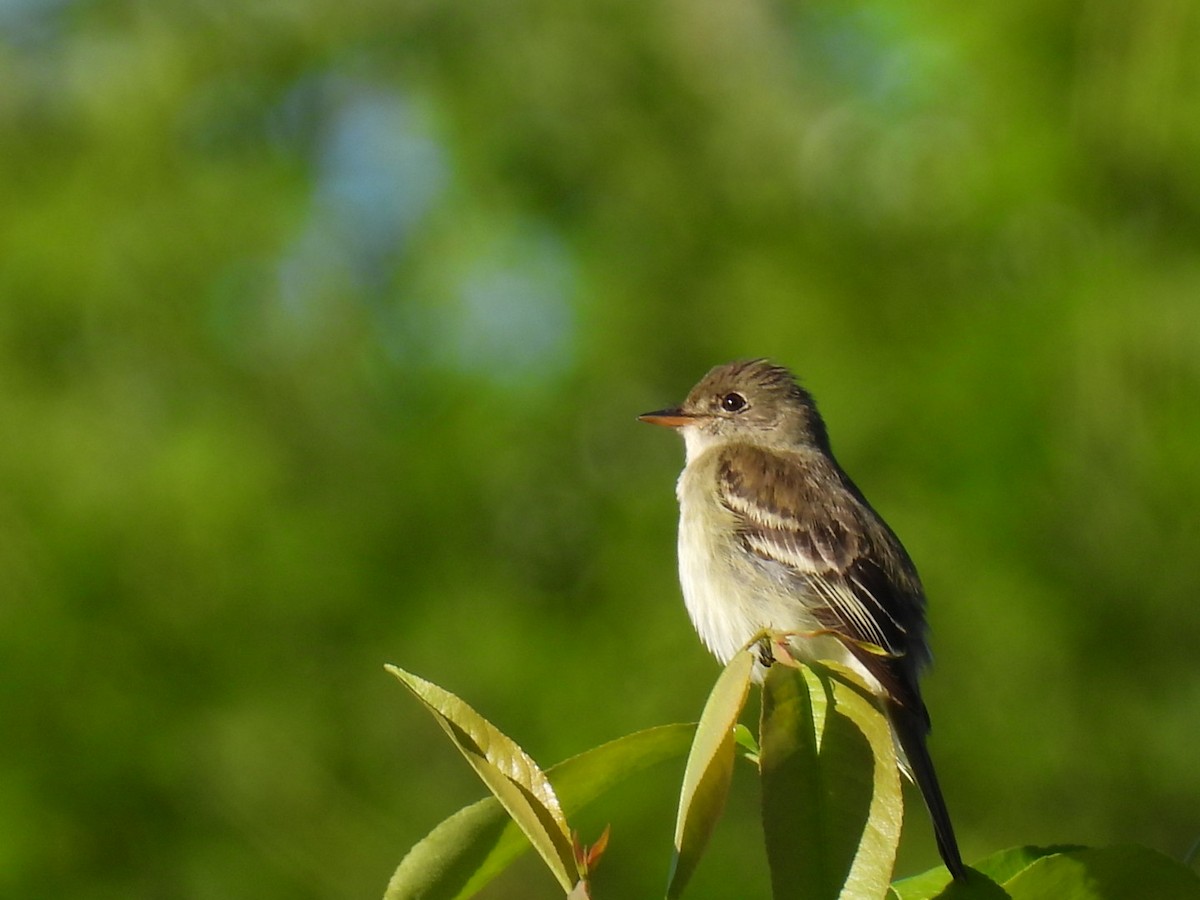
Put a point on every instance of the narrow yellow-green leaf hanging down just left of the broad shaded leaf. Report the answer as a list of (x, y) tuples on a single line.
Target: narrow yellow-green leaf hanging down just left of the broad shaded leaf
[(706, 782)]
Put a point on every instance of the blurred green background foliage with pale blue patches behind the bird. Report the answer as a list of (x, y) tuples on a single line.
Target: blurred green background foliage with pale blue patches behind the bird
[(323, 328)]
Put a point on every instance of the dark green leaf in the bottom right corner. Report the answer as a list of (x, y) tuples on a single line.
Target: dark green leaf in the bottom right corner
[(1119, 873)]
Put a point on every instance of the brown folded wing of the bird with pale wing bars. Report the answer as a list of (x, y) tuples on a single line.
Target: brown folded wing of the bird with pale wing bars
[(799, 514)]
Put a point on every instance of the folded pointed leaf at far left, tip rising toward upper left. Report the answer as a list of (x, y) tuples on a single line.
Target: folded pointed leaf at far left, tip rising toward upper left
[(509, 773)]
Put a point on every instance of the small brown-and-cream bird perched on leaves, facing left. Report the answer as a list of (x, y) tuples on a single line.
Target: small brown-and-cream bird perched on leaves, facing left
[(776, 538)]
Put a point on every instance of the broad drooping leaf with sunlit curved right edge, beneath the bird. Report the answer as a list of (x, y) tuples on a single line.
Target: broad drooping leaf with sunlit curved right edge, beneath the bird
[(831, 785)]
